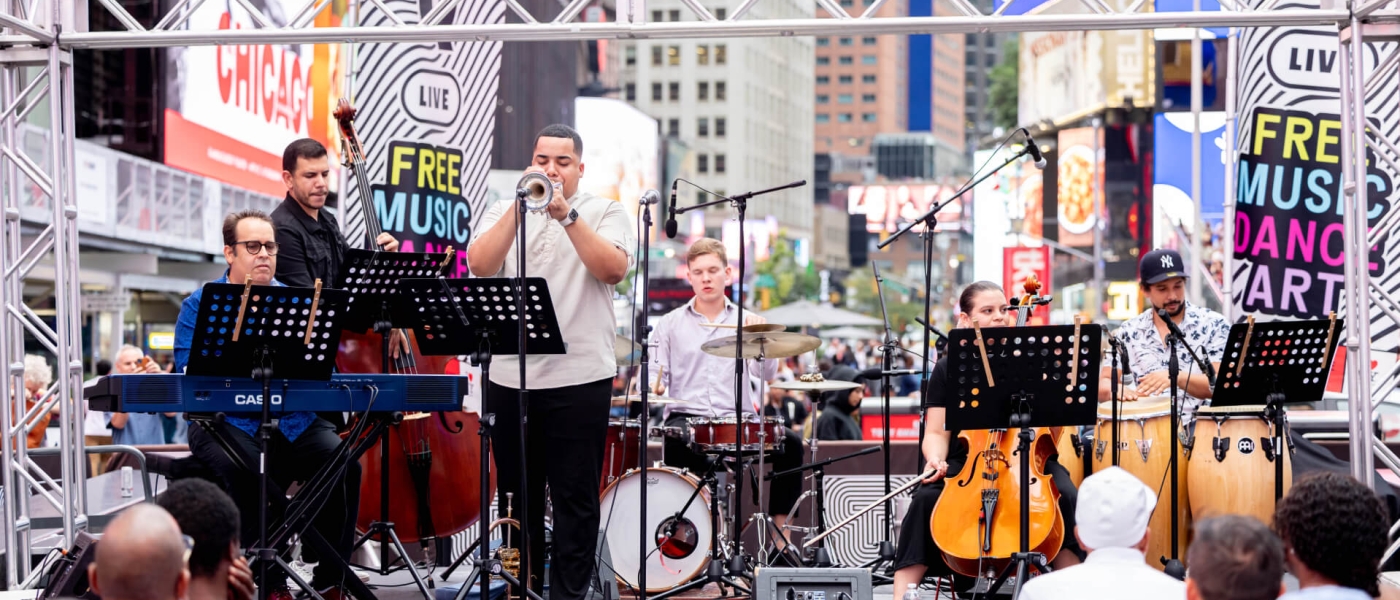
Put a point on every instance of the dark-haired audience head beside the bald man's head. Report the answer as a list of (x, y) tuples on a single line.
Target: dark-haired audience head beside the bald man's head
[(211, 518)]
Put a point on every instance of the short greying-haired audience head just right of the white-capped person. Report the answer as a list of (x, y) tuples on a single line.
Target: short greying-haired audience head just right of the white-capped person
[(1234, 557)]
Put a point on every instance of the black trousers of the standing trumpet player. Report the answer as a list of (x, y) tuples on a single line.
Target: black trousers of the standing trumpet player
[(568, 431)]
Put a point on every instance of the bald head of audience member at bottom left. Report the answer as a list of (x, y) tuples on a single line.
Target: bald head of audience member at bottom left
[(141, 557)]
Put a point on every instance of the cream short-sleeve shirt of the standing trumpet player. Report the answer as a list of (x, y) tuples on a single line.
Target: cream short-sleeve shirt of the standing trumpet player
[(582, 301)]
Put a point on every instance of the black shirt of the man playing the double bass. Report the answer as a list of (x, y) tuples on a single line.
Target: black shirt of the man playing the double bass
[(307, 248)]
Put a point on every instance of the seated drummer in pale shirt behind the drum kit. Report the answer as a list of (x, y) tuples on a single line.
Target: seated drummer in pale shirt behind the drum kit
[(705, 383)]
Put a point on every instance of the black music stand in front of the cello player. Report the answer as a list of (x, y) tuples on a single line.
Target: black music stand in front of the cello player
[(1027, 377)]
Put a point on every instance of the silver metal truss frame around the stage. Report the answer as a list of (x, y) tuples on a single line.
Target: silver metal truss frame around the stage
[(40, 34)]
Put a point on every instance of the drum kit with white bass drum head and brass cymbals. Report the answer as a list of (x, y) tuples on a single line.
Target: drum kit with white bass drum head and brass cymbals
[(689, 542)]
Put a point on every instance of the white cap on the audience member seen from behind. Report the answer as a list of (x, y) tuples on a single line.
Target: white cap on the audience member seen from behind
[(1114, 510)]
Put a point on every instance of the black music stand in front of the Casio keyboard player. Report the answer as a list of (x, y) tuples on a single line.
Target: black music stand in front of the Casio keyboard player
[(267, 332)]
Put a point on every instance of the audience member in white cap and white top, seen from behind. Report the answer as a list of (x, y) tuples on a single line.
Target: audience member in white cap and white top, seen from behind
[(1111, 522)]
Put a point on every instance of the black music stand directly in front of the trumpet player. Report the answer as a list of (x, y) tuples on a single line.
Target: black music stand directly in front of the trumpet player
[(449, 317)]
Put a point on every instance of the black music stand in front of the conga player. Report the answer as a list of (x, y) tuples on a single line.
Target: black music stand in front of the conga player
[(1291, 360)]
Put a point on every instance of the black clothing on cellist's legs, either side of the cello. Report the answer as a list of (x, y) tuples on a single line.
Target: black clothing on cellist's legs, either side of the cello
[(916, 539)]
